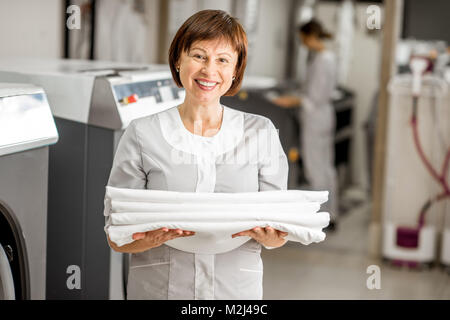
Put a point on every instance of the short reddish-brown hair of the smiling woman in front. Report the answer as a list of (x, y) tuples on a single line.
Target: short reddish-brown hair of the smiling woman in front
[(210, 25)]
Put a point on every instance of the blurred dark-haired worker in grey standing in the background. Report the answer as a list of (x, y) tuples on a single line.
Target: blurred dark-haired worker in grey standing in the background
[(317, 115)]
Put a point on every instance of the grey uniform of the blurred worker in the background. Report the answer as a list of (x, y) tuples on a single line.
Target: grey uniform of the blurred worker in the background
[(318, 123)]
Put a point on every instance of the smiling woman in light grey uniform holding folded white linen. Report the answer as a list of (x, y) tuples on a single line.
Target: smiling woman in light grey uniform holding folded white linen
[(201, 146)]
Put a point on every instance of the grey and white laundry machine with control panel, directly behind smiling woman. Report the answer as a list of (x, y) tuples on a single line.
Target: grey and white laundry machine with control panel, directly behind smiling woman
[(93, 102)]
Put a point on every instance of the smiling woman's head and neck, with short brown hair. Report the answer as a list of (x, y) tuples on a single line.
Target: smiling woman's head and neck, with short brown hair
[(207, 57)]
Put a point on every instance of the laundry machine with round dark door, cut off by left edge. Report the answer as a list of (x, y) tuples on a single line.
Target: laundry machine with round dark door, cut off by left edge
[(26, 131)]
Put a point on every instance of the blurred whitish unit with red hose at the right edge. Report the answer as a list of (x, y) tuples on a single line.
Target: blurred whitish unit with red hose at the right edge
[(417, 176)]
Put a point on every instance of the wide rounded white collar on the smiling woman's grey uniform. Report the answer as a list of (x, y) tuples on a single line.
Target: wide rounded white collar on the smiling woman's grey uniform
[(226, 139)]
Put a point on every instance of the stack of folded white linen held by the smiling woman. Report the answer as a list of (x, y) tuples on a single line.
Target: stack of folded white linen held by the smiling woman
[(214, 216)]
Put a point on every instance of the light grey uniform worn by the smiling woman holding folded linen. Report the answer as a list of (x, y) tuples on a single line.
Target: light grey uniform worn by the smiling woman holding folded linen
[(158, 152)]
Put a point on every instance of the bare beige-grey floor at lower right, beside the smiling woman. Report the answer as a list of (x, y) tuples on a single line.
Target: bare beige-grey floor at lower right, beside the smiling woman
[(336, 269)]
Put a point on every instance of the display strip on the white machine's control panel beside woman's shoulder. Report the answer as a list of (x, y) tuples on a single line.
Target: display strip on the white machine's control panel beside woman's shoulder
[(162, 90)]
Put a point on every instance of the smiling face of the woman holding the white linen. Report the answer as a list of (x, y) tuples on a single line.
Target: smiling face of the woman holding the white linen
[(207, 70)]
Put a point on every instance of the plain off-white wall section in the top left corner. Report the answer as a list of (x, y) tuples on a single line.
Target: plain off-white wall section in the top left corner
[(31, 28)]
